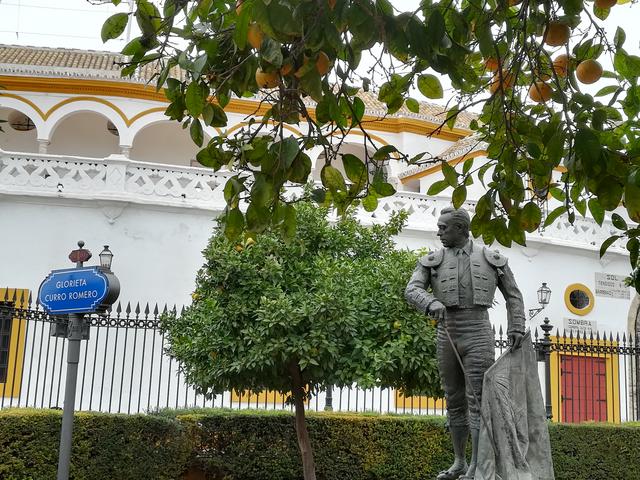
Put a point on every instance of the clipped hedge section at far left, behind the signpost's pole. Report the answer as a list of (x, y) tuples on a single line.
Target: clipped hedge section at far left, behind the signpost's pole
[(105, 446)]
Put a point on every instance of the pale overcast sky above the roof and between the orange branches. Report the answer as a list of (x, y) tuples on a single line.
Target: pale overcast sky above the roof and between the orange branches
[(77, 24)]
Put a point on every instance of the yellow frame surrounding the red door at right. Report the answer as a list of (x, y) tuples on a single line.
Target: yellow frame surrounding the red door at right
[(612, 375)]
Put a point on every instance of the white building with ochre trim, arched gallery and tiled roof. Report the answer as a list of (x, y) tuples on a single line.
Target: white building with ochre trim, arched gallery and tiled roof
[(89, 156)]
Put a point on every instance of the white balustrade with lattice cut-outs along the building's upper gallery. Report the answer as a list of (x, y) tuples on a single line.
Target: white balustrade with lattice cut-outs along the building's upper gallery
[(120, 179)]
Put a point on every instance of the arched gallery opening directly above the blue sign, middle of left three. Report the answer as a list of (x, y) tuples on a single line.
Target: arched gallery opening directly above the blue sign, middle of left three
[(84, 134)]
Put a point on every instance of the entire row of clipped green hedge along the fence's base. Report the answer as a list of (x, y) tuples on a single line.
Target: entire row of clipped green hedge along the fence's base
[(250, 445)]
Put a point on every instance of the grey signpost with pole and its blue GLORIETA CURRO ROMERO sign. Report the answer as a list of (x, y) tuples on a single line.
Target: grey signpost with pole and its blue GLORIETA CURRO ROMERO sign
[(76, 292)]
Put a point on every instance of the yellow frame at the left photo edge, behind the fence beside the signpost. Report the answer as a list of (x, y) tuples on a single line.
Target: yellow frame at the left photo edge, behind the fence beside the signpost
[(11, 387)]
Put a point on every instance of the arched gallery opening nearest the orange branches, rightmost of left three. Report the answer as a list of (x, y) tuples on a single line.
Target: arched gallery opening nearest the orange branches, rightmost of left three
[(165, 142)]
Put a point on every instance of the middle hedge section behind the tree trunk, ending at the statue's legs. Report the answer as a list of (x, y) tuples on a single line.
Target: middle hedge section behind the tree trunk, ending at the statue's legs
[(256, 446)]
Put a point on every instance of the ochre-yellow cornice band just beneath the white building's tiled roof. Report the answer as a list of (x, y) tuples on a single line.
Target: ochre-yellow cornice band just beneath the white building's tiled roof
[(112, 88)]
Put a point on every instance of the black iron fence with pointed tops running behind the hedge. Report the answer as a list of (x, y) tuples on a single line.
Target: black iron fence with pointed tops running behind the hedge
[(124, 368)]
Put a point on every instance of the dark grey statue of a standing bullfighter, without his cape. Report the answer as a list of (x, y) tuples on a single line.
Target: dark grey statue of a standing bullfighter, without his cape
[(455, 286)]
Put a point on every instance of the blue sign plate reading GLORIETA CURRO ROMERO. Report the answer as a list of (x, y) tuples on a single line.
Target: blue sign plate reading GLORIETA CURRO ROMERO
[(74, 290)]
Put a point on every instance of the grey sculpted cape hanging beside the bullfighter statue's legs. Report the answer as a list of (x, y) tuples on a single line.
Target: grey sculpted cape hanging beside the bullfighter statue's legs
[(514, 438)]
